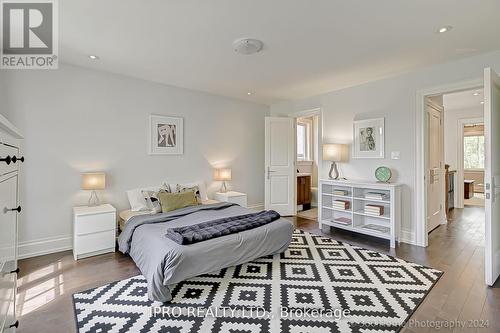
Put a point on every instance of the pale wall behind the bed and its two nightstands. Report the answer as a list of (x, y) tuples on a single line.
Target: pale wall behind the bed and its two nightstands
[(77, 120)]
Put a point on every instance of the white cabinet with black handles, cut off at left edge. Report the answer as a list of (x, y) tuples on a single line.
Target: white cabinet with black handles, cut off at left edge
[(10, 160)]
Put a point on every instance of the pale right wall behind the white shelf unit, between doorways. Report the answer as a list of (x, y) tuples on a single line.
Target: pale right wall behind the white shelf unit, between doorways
[(394, 99)]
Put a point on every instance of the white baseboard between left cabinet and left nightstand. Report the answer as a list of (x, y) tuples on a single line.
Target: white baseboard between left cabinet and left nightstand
[(43, 246)]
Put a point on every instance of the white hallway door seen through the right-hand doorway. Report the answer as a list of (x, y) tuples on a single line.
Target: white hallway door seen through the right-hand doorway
[(435, 184)]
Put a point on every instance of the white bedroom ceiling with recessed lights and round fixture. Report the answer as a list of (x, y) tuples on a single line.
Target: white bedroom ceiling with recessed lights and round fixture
[(311, 46)]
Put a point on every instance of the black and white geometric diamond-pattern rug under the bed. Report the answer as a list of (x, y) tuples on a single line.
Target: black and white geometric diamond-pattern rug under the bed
[(318, 285)]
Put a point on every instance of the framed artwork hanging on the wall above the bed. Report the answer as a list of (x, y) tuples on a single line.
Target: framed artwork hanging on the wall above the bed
[(166, 135)]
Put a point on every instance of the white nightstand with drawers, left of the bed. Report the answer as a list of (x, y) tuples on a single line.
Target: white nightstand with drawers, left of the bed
[(94, 230)]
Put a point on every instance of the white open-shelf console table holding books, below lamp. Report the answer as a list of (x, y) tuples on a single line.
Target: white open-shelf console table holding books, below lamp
[(354, 218)]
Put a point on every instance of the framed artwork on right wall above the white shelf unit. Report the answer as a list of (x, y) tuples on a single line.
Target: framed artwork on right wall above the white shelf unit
[(369, 138)]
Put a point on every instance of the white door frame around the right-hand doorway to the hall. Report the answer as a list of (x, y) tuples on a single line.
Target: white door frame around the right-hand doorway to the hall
[(421, 163)]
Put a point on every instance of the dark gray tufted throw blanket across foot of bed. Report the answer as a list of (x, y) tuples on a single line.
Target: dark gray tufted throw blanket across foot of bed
[(211, 229)]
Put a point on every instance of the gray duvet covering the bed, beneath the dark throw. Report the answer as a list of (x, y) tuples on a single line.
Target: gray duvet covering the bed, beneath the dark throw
[(164, 262)]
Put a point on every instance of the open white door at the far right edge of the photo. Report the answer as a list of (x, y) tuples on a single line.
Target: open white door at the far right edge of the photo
[(492, 174)]
